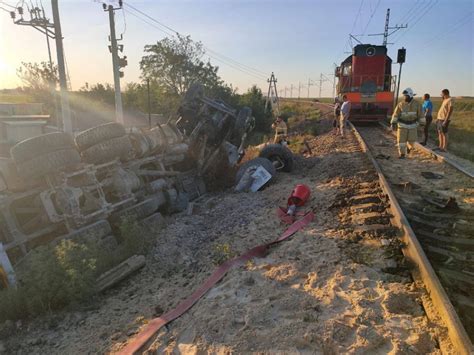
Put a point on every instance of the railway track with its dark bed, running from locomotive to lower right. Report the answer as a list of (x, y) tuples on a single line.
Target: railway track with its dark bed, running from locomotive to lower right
[(438, 202)]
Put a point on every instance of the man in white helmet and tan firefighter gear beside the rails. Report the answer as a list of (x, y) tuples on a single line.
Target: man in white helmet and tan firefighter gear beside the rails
[(407, 116)]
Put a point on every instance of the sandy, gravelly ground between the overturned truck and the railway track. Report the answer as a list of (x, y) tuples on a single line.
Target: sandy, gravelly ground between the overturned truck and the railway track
[(326, 290)]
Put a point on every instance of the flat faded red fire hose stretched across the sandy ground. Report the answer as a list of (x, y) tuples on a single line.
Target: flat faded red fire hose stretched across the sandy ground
[(141, 340)]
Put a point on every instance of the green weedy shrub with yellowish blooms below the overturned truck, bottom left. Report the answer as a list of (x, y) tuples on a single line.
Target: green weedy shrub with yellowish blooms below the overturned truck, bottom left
[(52, 277)]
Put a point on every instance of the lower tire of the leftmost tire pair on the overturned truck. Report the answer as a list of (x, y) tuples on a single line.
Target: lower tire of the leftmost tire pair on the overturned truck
[(49, 163)]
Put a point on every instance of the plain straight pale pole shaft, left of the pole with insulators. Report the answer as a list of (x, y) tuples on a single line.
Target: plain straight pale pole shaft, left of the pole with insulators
[(65, 109)]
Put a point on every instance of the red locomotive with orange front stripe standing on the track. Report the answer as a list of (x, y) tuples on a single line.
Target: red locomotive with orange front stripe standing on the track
[(366, 78)]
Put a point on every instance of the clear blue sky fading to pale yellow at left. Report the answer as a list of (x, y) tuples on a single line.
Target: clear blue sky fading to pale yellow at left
[(296, 39)]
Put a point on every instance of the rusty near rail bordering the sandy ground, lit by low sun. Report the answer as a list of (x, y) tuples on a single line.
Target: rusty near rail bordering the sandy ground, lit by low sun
[(423, 270)]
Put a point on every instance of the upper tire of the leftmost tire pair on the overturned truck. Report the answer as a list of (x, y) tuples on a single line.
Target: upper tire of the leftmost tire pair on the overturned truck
[(32, 147)]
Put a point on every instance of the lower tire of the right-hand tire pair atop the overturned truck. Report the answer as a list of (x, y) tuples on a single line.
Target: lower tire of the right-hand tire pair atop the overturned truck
[(119, 147)]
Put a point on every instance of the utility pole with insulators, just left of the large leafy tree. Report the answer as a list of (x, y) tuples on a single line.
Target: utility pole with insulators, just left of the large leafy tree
[(117, 62)]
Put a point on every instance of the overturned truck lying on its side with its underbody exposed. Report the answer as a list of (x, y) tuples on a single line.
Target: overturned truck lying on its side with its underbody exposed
[(58, 187)]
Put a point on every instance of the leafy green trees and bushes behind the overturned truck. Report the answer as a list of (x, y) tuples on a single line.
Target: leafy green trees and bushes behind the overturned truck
[(169, 66)]
